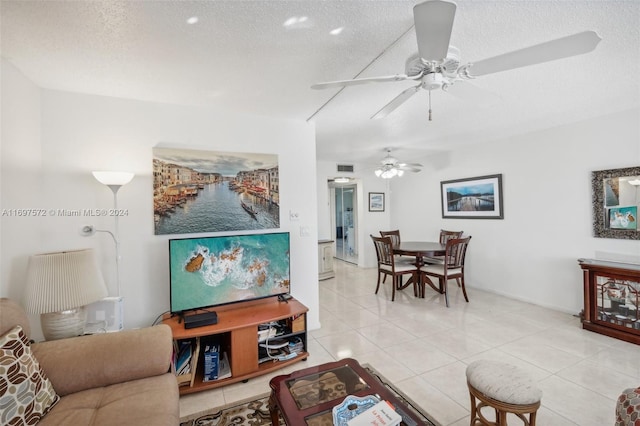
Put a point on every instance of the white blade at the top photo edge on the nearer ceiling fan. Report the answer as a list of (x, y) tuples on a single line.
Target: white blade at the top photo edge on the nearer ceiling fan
[(434, 23)]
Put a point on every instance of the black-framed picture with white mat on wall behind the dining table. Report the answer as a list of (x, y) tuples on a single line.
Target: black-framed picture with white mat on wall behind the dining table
[(472, 198)]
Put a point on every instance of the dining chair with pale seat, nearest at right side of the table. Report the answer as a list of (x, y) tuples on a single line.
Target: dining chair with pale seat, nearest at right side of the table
[(451, 268)]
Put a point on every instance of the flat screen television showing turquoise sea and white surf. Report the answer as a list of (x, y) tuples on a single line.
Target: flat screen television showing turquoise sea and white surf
[(212, 271)]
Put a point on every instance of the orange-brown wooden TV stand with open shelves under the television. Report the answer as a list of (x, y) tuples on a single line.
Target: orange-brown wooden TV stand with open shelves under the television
[(237, 332)]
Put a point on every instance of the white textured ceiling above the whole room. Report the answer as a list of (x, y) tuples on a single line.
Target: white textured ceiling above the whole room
[(241, 56)]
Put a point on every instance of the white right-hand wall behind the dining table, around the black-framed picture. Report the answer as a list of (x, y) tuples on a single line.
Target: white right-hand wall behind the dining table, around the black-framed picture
[(531, 254)]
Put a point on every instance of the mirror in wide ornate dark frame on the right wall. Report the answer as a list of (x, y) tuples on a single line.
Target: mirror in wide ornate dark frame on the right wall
[(616, 202)]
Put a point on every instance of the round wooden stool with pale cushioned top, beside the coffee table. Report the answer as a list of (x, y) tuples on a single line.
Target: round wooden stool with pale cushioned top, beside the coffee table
[(503, 387)]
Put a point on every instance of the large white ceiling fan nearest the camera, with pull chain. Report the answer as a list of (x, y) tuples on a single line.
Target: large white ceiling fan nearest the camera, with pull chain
[(437, 64)]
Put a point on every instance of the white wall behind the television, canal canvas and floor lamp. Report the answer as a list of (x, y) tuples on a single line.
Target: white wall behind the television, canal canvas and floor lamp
[(81, 133)]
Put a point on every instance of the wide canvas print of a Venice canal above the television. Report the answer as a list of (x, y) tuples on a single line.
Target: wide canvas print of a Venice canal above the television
[(196, 191)]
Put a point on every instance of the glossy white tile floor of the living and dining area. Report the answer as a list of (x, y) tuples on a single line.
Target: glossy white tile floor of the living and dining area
[(424, 347)]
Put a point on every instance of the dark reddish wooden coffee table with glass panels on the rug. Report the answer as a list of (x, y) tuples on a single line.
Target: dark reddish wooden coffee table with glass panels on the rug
[(307, 397)]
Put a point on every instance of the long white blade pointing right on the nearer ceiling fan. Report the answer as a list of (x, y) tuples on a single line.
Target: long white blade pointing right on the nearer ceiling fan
[(572, 45)]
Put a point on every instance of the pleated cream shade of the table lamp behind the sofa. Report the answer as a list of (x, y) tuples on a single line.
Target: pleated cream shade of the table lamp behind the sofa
[(62, 281)]
